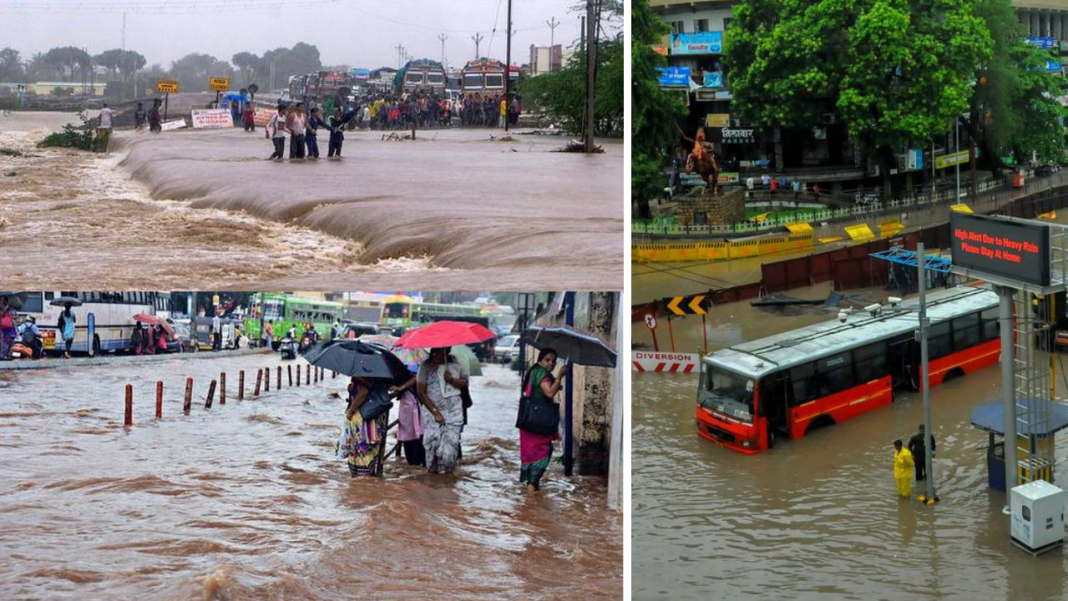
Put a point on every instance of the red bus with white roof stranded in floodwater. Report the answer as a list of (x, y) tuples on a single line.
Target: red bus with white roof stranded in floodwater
[(788, 385)]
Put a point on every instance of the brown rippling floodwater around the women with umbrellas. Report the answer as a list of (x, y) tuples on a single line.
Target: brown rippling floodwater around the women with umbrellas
[(247, 502)]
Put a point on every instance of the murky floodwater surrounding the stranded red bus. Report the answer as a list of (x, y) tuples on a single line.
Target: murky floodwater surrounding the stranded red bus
[(819, 517)]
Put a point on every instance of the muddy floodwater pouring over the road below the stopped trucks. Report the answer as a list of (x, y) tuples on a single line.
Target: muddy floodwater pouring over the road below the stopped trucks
[(453, 209)]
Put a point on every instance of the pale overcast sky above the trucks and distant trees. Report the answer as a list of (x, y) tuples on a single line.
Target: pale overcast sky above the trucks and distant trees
[(363, 34)]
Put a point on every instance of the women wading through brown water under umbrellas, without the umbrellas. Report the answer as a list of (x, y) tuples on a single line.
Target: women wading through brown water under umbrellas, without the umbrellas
[(432, 416)]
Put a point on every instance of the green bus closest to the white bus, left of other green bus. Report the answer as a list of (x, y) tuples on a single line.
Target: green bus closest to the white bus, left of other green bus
[(289, 312)]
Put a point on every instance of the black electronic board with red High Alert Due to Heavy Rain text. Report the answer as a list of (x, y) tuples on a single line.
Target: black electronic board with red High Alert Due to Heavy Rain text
[(1014, 250)]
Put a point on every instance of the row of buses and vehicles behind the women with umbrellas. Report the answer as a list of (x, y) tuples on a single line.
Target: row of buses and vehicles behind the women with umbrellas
[(107, 323)]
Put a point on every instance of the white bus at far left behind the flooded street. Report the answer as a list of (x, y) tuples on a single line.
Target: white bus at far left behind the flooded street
[(105, 321)]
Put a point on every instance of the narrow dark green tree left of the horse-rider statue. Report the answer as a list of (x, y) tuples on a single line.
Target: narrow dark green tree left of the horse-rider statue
[(654, 113)]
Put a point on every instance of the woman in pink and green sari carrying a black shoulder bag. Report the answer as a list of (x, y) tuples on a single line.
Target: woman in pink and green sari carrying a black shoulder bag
[(536, 450)]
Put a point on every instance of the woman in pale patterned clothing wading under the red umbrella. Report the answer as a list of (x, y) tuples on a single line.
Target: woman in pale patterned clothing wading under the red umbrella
[(439, 383)]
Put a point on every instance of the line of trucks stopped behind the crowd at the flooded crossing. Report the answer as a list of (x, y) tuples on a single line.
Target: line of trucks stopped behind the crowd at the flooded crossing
[(422, 76)]
